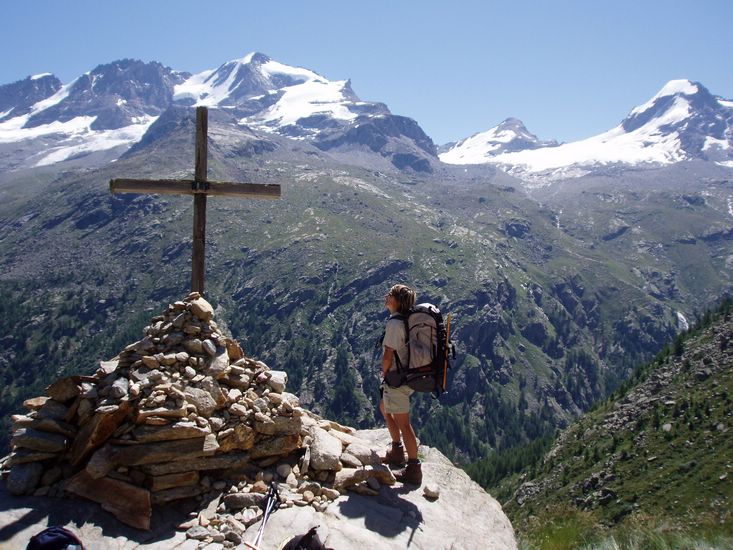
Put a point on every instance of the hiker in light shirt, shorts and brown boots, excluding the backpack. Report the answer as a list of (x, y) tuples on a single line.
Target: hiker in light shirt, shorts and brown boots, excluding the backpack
[(395, 402)]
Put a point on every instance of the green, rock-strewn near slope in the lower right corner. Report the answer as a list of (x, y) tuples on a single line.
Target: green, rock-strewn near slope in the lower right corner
[(656, 456)]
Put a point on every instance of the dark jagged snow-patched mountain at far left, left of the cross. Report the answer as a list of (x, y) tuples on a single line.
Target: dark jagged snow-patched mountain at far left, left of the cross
[(106, 109)]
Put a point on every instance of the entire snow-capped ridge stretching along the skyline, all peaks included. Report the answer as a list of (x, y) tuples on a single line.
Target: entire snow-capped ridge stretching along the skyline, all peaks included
[(104, 112)]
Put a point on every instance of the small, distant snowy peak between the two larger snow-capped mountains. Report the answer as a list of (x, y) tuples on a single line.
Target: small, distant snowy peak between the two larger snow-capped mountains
[(508, 137)]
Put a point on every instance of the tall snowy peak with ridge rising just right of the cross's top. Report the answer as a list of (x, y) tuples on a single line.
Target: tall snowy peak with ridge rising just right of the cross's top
[(270, 97)]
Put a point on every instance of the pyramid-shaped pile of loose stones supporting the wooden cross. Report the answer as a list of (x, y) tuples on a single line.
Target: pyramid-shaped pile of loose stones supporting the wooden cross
[(183, 413)]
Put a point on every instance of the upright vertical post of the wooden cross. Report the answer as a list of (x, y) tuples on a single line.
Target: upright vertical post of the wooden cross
[(198, 251)]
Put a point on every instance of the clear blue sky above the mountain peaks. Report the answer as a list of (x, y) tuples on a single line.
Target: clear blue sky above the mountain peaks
[(568, 69)]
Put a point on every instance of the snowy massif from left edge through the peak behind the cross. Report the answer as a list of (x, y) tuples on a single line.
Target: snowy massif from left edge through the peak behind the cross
[(111, 107)]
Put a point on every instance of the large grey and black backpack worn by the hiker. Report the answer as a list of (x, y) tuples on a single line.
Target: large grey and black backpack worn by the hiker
[(429, 346)]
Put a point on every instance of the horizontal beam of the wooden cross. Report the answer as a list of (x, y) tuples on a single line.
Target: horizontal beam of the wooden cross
[(191, 187)]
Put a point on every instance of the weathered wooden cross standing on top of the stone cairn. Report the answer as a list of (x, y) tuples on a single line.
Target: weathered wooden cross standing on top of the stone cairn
[(200, 188)]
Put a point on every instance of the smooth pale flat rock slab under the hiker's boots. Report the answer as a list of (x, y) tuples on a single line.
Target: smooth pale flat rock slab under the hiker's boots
[(465, 516)]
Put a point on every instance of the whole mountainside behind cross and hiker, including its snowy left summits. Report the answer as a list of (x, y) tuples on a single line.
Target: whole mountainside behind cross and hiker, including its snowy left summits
[(557, 292)]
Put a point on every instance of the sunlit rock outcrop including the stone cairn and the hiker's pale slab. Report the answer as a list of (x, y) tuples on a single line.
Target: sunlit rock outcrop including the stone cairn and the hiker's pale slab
[(183, 416)]
